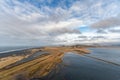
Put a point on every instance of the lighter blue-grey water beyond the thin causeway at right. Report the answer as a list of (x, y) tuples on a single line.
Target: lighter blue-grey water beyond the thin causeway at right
[(107, 54)]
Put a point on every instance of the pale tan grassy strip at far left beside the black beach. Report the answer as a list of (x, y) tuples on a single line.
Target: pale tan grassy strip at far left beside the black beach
[(5, 61)]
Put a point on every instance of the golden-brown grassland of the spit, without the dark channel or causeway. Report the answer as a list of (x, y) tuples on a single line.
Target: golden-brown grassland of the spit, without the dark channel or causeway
[(53, 57)]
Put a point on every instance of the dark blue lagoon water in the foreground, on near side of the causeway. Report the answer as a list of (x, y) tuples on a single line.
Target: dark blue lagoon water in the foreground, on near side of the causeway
[(77, 67)]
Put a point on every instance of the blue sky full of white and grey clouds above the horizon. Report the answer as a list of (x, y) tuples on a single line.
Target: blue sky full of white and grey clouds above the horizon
[(58, 22)]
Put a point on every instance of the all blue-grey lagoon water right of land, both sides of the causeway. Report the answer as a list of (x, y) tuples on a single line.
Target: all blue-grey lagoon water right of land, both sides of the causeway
[(79, 67)]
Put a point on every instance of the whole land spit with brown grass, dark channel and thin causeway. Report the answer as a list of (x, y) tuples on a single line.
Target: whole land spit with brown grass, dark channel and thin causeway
[(39, 62)]
